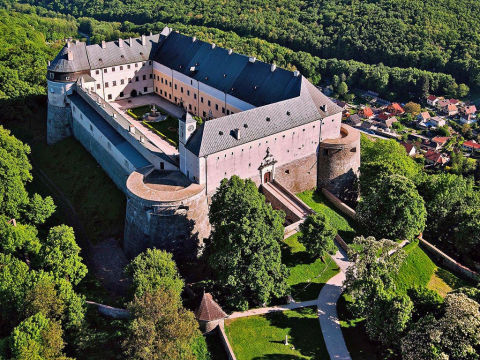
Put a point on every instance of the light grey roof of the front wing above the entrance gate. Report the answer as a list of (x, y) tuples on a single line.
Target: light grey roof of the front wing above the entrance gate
[(217, 134)]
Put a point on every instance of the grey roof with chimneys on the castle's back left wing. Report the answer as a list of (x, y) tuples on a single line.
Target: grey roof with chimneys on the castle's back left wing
[(131, 51)]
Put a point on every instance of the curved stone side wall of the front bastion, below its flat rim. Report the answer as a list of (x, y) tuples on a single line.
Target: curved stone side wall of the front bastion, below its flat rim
[(178, 227)]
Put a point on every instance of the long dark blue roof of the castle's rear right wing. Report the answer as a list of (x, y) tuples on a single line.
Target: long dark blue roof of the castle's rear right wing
[(232, 73)]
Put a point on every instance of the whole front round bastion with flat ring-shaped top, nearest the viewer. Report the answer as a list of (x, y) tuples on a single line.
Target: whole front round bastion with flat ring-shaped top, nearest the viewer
[(165, 210)]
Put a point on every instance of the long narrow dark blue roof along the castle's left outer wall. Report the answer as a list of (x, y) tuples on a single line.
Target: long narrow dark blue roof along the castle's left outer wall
[(110, 133)]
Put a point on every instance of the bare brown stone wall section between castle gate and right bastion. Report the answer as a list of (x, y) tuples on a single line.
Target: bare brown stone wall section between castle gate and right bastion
[(298, 175)]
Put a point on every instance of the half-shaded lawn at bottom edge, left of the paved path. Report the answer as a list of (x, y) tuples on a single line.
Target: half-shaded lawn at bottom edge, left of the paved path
[(262, 337)]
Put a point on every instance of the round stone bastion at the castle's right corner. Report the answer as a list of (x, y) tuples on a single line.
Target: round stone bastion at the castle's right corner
[(339, 163)]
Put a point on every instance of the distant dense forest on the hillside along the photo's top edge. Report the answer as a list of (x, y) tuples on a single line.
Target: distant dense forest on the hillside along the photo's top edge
[(436, 35)]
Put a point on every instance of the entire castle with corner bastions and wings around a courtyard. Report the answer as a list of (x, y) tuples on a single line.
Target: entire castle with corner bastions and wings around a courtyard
[(260, 122)]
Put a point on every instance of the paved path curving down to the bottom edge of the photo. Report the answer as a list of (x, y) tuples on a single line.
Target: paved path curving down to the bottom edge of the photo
[(327, 310)]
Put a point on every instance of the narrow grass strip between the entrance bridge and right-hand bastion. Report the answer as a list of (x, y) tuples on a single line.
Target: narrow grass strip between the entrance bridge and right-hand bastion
[(318, 202)]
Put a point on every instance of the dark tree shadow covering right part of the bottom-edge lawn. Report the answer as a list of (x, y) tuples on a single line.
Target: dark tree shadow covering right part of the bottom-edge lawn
[(305, 334)]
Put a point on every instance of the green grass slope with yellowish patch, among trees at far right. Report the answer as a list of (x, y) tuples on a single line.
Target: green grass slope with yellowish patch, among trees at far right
[(419, 270)]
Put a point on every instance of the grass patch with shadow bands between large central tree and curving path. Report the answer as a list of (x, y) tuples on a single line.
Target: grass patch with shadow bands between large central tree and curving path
[(307, 276)]
